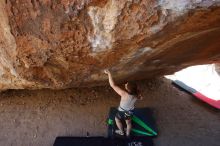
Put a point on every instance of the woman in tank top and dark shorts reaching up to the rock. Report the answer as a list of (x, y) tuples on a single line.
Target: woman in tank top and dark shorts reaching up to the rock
[(127, 102)]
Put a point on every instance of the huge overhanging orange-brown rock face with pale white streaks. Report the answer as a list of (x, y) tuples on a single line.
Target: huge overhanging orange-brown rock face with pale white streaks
[(68, 43)]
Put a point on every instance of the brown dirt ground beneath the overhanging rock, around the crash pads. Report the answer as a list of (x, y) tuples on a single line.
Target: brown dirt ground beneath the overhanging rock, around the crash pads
[(36, 118)]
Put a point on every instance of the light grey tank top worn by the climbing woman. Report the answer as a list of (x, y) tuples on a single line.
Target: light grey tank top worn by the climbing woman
[(127, 103)]
